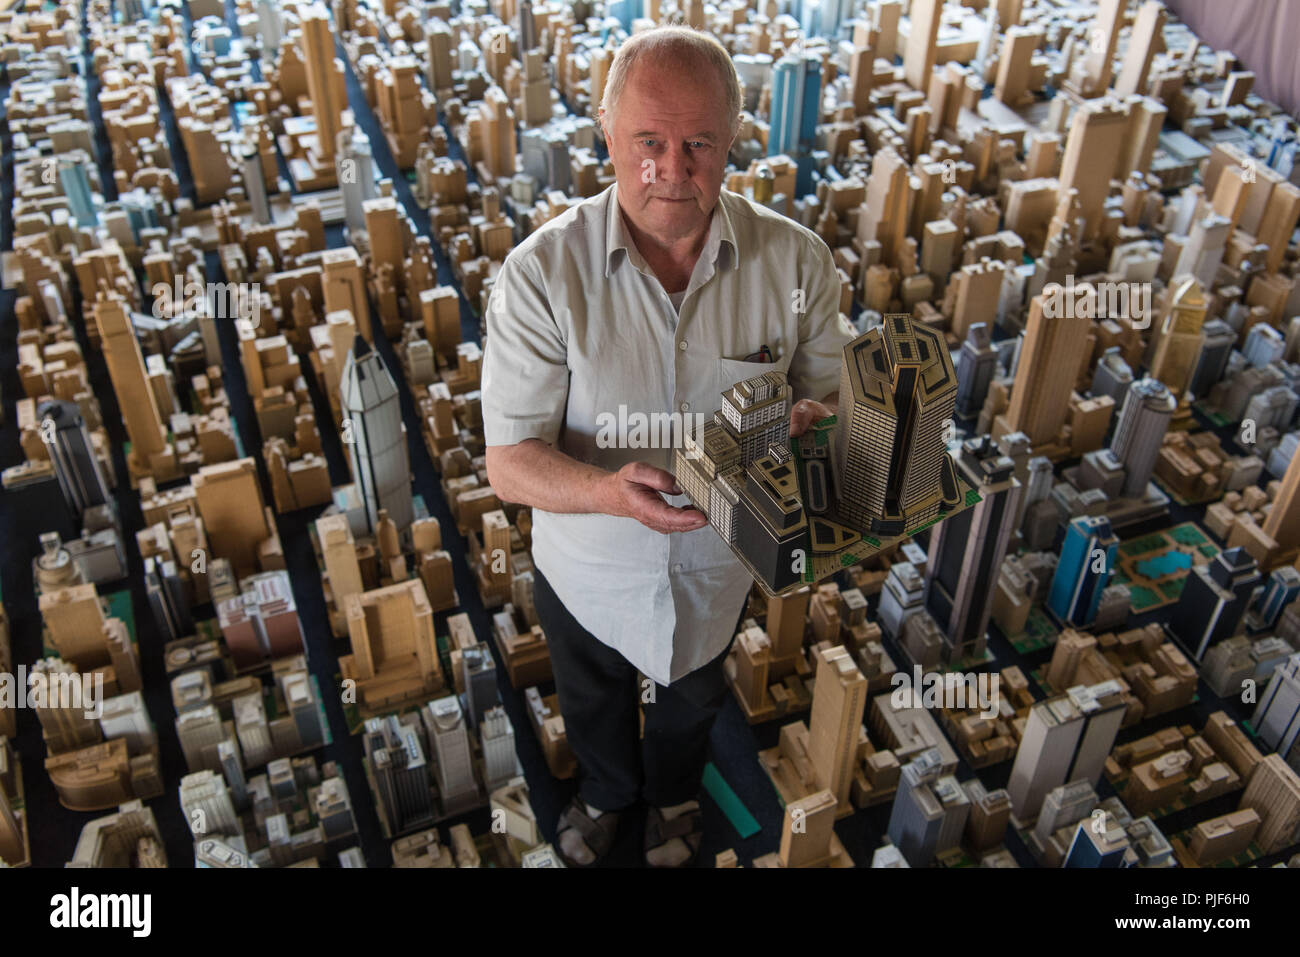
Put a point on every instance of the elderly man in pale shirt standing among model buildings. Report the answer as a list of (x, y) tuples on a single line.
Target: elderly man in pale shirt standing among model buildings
[(651, 298)]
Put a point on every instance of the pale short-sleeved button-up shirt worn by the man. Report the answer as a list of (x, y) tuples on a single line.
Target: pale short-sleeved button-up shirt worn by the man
[(580, 332)]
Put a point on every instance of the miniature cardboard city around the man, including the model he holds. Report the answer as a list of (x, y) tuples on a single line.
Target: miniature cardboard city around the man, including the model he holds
[(1029, 599)]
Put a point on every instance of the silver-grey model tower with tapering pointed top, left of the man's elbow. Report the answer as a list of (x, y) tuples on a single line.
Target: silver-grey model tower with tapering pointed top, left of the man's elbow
[(372, 414)]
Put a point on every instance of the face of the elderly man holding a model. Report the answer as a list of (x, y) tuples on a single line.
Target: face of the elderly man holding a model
[(669, 141)]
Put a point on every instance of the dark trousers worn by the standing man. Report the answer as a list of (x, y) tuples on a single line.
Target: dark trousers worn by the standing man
[(600, 695)]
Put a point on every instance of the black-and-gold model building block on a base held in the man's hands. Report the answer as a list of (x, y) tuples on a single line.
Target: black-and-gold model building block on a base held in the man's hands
[(796, 512)]
